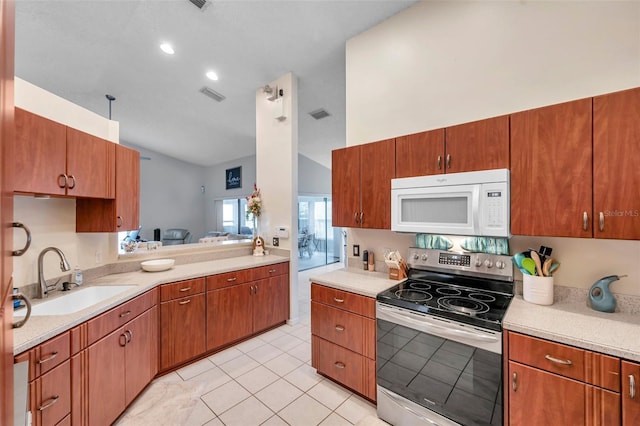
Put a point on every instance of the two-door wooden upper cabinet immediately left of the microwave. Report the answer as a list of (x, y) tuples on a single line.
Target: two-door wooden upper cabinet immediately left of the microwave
[(361, 185)]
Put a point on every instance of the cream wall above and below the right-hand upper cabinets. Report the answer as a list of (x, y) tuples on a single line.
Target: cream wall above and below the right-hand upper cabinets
[(442, 63)]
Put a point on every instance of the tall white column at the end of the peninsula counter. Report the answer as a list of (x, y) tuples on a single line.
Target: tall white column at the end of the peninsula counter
[(277, 173)]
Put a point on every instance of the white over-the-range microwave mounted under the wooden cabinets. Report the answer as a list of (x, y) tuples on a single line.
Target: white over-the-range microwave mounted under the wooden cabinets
[(470, 203)]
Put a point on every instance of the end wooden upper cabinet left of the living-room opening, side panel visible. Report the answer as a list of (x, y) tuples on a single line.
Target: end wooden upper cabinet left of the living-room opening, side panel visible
[(121, 213)]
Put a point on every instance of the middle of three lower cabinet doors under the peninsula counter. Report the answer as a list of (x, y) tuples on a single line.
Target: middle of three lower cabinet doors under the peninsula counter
[(229, 315)]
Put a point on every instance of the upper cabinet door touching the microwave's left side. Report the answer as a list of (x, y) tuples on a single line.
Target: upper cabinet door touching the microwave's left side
[(378, 168)]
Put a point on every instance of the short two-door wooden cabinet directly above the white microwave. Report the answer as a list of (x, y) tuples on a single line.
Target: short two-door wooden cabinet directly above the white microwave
[(479, 145)]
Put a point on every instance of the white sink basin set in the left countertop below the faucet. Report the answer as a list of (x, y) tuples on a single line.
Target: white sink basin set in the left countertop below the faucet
[(74, 301)]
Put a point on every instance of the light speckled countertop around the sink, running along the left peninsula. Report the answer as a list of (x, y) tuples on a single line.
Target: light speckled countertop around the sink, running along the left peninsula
[(41, 328)]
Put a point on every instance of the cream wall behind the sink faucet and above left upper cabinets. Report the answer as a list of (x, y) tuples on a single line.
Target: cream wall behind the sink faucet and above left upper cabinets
[(52, 221)]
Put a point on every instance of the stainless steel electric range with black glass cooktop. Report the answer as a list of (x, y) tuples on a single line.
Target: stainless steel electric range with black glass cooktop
[(439, 340)]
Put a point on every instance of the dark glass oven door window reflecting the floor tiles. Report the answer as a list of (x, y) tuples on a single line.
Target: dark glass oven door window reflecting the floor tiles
[(458, 381)]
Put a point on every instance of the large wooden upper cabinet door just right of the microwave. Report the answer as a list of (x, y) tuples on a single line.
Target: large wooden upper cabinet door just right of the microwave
[(551, 170)]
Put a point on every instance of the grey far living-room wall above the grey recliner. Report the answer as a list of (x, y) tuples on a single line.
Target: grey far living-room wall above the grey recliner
[(170, 194)]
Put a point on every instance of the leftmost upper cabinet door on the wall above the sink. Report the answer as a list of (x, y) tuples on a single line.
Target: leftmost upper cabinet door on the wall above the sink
[(39, 154)]
